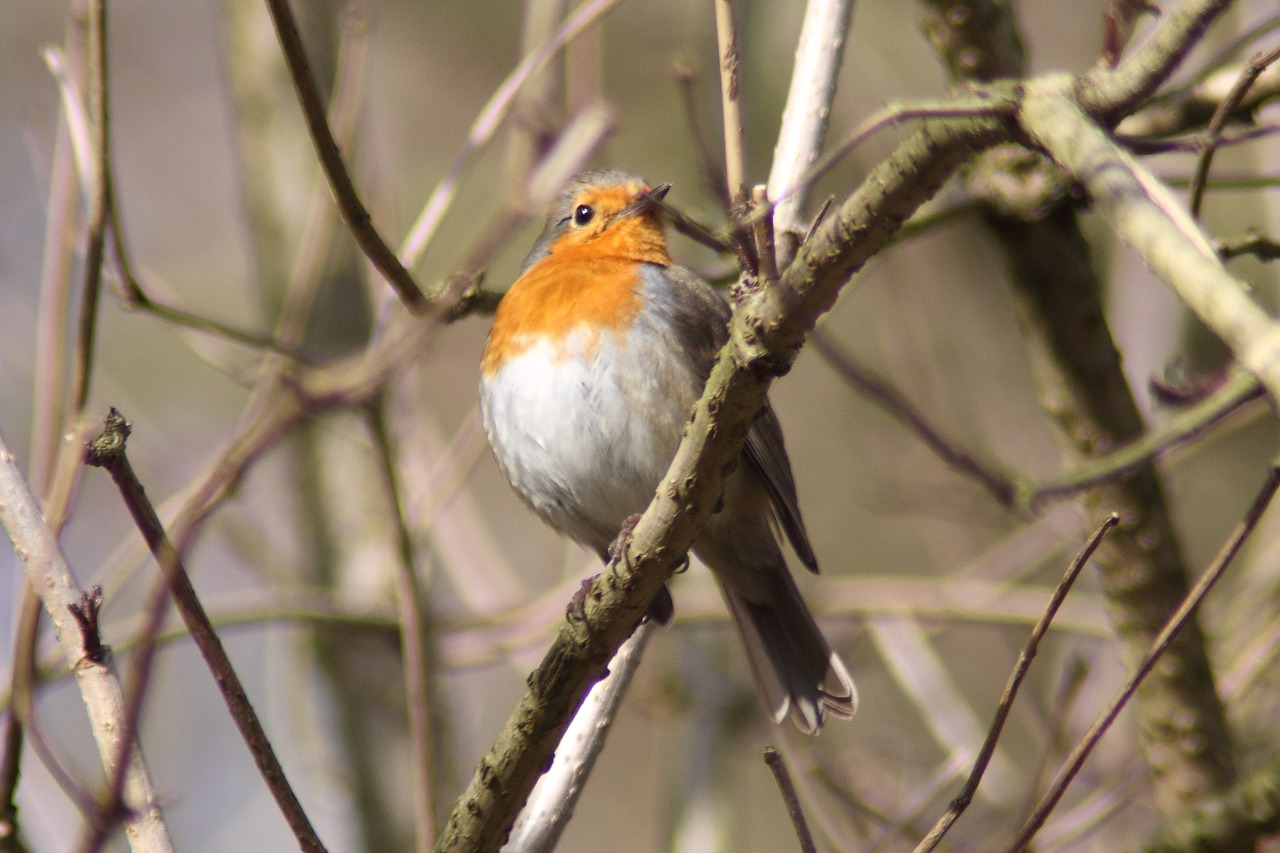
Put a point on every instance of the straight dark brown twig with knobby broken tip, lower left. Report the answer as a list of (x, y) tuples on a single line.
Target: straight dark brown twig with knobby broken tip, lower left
[(109, 453)]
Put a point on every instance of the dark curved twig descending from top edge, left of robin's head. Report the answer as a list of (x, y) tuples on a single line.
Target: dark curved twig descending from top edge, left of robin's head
[(331, 161)]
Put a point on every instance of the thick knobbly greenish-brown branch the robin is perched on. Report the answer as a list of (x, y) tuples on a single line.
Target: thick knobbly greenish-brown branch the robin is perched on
[(766, 335)]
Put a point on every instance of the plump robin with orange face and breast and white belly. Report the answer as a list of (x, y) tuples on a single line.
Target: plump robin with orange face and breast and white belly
[(593, 364)]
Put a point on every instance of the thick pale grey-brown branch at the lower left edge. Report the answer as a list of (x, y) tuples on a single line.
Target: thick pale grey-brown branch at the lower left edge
[(51, 576)]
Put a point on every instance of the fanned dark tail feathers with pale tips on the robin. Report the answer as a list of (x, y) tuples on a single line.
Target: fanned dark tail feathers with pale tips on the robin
[(796, 670)]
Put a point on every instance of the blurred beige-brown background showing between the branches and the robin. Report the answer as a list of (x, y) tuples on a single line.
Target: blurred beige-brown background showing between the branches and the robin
[(929, 585)]
